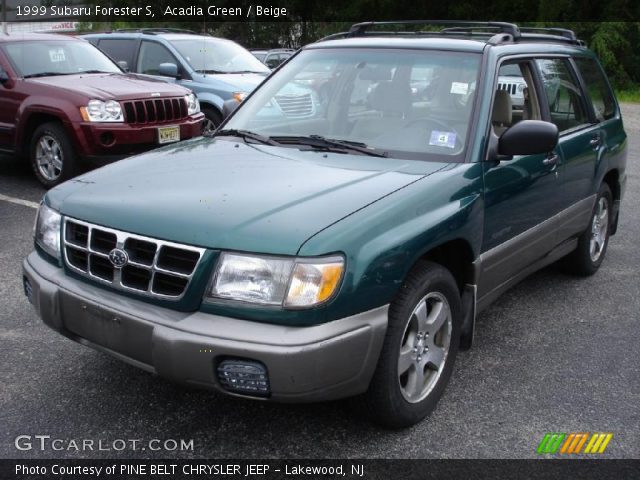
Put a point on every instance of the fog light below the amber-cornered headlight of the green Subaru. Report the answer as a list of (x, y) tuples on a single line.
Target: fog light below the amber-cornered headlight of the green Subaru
[(244, 376)]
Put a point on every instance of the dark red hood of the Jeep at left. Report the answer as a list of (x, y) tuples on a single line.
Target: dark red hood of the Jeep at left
[(112, 86)]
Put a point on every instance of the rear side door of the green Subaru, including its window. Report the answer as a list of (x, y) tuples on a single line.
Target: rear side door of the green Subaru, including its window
[(579, 145)]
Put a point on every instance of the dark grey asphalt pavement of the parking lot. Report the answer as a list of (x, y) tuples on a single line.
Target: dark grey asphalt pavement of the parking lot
[(554, 354)]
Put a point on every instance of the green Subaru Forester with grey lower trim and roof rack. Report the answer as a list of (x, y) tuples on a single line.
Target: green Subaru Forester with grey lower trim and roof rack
[(345, 251)]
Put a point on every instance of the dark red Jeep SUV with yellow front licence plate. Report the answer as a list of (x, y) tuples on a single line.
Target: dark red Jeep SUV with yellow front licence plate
[(63, 102)]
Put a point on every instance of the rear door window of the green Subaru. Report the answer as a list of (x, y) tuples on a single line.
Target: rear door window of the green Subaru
[(564, 96)]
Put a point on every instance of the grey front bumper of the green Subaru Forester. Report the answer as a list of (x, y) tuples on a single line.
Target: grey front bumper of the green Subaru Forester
[(305, 364)]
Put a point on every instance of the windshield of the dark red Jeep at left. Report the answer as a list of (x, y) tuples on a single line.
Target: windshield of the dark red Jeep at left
[(57, 57)]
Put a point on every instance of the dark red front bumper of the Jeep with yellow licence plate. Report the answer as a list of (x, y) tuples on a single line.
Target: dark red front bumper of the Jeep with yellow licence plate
[(123, 139)]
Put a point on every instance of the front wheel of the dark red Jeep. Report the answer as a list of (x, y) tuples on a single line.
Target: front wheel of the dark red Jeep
[(51, 154)]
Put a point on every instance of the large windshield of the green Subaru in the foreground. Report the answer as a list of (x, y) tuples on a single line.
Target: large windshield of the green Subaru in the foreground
[(404, 103)]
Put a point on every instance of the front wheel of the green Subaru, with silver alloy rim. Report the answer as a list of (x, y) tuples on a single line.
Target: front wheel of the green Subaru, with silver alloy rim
[(419, 349)]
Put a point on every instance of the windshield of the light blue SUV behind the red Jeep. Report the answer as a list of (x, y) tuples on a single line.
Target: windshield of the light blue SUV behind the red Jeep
[(217, 56)]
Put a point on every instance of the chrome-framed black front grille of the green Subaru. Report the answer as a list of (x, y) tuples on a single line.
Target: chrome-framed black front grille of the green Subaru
[(154, 268)]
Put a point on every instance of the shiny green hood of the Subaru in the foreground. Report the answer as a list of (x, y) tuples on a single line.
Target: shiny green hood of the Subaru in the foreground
[(222, 194)]
